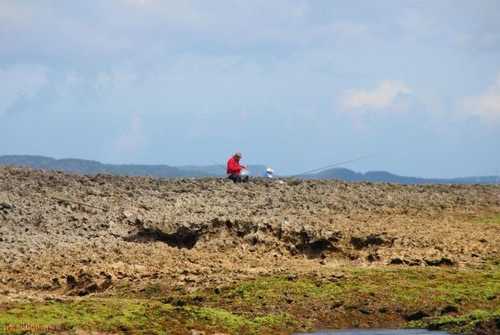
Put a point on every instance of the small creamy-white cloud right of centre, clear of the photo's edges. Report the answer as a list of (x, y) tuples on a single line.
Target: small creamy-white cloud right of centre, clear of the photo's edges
[(382, 96)]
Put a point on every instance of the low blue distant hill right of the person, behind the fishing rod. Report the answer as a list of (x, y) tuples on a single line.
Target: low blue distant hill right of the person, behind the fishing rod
[(383, 176)]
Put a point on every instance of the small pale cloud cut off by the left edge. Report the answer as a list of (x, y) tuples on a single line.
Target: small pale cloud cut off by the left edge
[(23, 82)]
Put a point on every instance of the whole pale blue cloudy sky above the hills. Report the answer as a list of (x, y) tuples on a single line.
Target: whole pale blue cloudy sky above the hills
[(292, 84)]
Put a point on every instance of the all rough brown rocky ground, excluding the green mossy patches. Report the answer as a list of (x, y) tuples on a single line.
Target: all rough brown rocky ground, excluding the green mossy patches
[(65, 237)]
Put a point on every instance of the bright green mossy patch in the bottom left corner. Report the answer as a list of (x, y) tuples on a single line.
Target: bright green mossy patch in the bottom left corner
[(135, 316)]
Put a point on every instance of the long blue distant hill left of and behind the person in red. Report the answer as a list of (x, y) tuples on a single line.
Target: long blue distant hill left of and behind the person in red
[(90, 167)]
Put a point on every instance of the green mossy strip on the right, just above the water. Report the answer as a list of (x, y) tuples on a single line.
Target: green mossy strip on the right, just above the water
[(408, 287)]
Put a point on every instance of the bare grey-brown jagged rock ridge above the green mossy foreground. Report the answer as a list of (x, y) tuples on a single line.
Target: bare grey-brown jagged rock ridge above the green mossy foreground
[(58, 229)]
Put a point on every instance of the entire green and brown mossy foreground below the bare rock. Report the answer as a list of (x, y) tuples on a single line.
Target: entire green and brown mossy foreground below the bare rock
[(272, 305)]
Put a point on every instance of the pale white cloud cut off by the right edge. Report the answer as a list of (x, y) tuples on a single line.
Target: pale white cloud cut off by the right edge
[(486, 106)]
